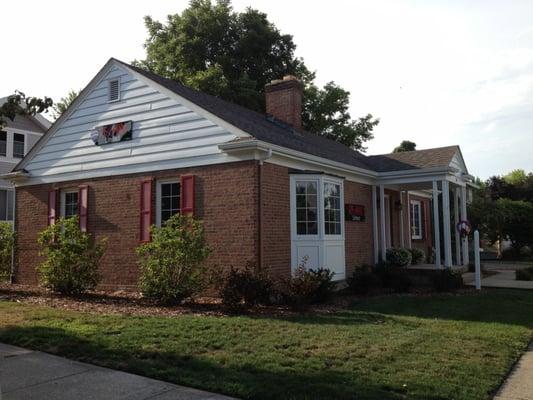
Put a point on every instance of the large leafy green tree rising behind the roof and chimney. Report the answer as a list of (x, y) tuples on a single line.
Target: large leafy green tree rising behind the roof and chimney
[(233, 55)]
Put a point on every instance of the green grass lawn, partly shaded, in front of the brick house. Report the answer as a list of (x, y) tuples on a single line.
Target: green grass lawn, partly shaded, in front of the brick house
[(435, 347)]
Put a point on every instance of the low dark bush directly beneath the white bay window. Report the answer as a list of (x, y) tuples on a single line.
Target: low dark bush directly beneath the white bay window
[(307, 286)]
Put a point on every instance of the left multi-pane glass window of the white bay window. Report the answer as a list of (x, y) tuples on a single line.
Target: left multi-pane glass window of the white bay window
[(306, 208)]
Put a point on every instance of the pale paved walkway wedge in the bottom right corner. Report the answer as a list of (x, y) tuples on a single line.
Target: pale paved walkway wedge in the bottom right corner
[(519, 384)]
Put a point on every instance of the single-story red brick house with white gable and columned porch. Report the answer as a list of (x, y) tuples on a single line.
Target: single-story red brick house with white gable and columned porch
[(135, 148)]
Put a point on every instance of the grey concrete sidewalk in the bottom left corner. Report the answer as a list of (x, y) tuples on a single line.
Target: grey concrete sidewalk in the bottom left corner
[(26, 374)]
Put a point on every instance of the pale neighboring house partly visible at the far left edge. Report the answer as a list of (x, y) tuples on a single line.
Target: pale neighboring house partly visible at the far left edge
[(17, 137)]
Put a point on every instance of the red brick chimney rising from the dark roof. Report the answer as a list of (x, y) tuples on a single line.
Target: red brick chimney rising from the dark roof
[(284, 100)]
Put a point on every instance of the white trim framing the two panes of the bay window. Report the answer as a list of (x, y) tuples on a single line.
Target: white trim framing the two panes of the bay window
[(320, 180)]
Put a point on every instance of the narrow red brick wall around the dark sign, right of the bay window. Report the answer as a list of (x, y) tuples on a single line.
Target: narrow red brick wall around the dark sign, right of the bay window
[(358, 234)]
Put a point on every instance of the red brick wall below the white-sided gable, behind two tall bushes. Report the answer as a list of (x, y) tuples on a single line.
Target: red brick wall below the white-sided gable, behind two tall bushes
[(226, 199)]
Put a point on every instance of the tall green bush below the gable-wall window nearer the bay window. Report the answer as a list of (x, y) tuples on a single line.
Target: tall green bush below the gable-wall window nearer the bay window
[(172, 263)]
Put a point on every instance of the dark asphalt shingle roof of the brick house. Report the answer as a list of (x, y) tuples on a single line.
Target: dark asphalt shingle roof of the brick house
[(270, 130)]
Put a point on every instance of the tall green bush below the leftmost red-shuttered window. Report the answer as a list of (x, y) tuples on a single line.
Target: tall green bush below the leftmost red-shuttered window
[(71, 265)]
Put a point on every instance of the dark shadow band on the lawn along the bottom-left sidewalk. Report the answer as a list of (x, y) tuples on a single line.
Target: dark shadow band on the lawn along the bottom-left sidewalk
[(238, 378)]
